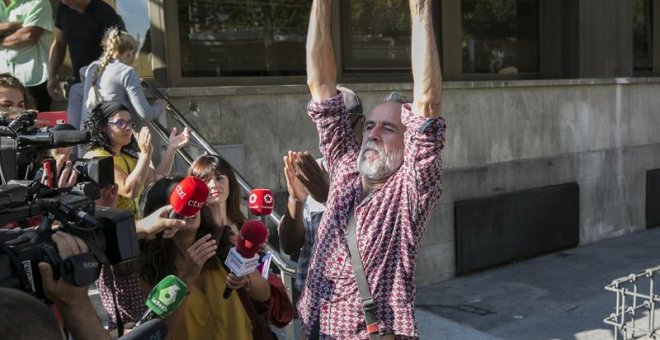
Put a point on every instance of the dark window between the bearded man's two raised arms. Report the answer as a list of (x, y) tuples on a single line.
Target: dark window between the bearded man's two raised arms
[(376, 35)]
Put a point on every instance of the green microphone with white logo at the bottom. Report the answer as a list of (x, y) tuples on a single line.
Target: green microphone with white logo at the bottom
[(164, 298)]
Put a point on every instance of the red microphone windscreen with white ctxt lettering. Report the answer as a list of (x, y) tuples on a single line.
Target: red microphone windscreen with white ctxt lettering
[(189, 196)]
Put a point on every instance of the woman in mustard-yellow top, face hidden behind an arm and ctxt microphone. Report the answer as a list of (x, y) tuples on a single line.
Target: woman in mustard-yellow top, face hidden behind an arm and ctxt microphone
[(194, 255)]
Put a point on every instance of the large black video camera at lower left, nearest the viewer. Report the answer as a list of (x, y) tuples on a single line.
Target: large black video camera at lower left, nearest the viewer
[(109, 233)]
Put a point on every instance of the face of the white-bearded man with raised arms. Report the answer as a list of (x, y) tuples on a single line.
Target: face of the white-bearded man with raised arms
[(382, 144)]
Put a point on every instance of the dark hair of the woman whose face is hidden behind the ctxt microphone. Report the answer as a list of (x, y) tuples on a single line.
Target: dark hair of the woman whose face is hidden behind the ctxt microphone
[(158, 255)]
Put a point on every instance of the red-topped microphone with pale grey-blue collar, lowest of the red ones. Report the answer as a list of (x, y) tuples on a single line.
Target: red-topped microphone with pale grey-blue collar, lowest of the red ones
[(243, 259)]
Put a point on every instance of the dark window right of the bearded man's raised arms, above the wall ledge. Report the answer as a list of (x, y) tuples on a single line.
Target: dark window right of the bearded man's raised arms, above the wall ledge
[(500, 36)]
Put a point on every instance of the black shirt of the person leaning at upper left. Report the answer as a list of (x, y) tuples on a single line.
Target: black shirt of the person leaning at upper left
[(83, 32)]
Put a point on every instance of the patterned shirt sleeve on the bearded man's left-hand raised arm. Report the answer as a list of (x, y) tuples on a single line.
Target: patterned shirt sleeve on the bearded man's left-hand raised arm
[(336, 138)]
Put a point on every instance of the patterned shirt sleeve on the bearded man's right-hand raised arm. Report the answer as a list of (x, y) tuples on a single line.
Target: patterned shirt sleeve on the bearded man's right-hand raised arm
[(424, 141)]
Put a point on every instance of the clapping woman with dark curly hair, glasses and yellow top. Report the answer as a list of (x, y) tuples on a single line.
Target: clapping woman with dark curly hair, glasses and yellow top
[(112, 130)]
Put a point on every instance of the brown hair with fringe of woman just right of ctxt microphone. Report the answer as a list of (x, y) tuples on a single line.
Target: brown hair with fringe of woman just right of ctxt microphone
[(206, 167)]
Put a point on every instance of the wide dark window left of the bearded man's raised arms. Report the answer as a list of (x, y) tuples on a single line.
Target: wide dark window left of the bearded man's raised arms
[(225, 38)]
